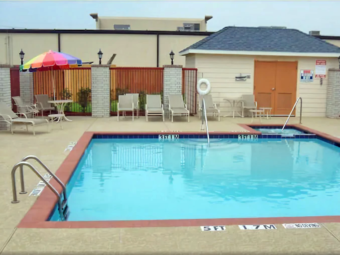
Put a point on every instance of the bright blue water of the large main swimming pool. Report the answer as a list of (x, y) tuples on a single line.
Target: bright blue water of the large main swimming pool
[(150, 179)]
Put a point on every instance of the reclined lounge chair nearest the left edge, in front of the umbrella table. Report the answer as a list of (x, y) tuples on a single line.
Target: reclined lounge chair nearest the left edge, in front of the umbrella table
[(11, 118)]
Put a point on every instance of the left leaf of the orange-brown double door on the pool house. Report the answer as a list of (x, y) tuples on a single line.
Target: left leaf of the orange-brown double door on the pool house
[(264, 82)]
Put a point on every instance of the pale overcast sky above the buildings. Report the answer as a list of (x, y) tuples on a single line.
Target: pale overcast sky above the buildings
[(305, 16)]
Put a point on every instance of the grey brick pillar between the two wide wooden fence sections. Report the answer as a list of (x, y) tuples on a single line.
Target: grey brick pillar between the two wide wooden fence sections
[(100, 91)]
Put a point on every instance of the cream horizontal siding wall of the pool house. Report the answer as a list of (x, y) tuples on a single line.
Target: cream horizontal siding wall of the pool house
[(221, 70)]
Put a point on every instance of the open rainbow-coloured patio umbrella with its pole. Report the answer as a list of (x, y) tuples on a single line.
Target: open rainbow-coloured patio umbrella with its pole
[(51, 60)]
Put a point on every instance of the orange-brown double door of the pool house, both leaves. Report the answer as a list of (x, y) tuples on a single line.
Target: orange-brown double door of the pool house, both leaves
[(275, 85)]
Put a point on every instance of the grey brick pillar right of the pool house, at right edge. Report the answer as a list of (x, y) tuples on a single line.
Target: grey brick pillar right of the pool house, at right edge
[(333, 94)]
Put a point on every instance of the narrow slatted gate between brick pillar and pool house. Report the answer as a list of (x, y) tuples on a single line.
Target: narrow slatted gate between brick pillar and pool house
[(189, 82)]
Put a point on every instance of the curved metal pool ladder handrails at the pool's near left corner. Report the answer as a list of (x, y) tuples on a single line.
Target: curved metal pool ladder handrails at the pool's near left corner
[(62, 198)]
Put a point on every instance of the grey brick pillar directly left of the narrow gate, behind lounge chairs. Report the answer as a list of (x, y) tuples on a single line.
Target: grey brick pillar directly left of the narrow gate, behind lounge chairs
[(172, 84)]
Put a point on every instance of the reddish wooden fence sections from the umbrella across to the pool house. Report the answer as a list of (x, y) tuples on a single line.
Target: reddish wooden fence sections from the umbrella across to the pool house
[(76, 84)]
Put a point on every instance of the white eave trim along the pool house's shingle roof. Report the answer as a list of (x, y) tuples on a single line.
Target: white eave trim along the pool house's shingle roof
[(261, 53)]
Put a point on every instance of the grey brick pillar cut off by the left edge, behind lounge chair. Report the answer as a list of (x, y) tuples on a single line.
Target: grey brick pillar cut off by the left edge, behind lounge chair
[(5, 91)]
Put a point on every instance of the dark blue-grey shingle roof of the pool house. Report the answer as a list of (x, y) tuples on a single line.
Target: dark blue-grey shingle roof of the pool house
[(263, 39)]
